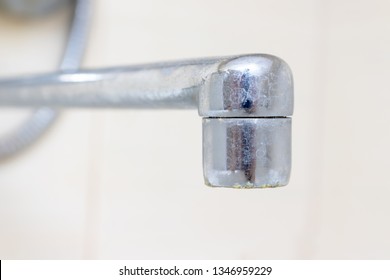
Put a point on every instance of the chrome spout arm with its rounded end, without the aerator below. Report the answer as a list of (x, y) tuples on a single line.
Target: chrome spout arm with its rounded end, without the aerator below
[(202, 83)]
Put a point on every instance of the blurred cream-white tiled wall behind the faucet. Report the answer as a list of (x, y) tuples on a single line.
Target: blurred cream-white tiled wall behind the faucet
[(128, 184)]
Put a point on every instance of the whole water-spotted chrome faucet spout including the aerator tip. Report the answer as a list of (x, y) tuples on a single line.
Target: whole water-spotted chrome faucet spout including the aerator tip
[(245, 103)]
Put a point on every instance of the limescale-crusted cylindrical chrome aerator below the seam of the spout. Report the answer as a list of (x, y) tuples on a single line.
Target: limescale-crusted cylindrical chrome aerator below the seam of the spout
[(246, 152)]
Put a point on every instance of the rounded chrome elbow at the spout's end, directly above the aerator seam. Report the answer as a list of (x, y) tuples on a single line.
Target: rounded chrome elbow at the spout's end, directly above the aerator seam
[(251, 86)]
